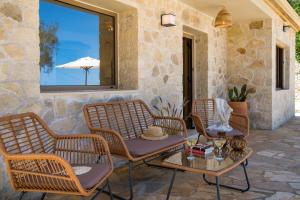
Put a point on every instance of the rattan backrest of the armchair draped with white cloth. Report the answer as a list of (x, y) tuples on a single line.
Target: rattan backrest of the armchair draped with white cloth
[(205, 108)]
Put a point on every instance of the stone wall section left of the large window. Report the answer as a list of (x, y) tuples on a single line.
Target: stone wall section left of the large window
[(19, 58)]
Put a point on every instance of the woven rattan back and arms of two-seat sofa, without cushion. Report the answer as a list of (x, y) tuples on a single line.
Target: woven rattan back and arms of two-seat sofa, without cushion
[(126, 120)]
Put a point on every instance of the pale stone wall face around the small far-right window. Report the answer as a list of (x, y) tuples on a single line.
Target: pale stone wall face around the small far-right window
[(283, 101)]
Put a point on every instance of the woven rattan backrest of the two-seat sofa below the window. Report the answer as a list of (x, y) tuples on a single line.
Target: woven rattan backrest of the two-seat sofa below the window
[(129, 118)]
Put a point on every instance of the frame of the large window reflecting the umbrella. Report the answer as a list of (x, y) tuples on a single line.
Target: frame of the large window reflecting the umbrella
[(94, 10)]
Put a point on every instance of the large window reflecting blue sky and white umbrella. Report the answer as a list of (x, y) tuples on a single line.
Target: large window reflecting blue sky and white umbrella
[(77, 47)]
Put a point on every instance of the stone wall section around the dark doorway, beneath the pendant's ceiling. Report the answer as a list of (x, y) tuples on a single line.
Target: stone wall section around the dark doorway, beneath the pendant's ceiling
[(161, 50)]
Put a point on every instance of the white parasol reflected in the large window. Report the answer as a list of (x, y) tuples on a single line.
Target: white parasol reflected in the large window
[(85, 63)]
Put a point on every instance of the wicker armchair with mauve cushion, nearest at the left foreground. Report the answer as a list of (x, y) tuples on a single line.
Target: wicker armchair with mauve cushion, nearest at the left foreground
[(37, 160)]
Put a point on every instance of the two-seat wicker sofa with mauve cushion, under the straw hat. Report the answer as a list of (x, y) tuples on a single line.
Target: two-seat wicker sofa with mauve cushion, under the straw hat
[(122, 123)]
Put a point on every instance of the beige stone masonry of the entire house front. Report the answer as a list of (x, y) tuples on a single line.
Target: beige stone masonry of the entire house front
[(153, 57)]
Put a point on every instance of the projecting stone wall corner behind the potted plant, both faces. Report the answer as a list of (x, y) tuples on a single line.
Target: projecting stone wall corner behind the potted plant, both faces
[(252, 60)]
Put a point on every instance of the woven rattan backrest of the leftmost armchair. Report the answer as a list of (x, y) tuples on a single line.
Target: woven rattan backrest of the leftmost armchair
[(25, 133)]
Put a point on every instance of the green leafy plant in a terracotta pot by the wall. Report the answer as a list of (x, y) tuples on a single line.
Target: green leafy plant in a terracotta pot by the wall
[(238, 99)]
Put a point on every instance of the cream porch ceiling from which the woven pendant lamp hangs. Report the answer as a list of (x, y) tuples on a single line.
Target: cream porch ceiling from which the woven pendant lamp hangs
[(241, 9)]
